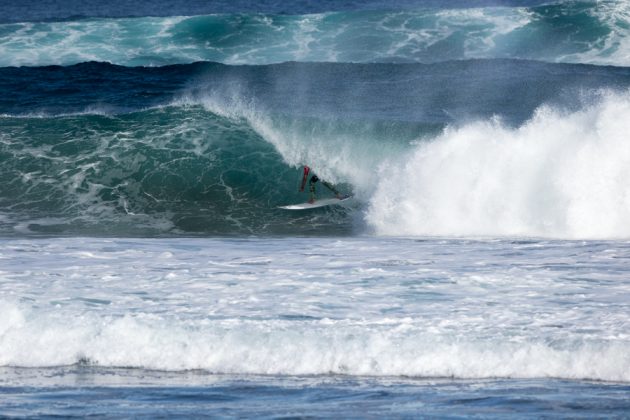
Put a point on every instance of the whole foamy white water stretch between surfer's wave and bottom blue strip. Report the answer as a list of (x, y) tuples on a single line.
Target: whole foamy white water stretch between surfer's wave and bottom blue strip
[(227, 307)]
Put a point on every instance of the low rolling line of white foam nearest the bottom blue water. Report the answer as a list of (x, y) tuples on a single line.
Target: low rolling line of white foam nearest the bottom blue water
[(296, 348)]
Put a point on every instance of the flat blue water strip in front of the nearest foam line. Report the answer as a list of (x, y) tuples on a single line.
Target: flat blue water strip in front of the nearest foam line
[(84, 391)]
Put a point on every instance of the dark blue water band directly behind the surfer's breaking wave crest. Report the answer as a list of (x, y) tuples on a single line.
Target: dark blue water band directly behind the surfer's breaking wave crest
[(430, 93)]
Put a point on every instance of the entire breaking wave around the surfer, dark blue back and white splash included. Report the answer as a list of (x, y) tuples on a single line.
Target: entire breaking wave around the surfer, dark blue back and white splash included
[(214, 149)]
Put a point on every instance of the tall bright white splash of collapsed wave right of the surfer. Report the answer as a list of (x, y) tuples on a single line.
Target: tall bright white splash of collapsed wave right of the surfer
[(559, 175)]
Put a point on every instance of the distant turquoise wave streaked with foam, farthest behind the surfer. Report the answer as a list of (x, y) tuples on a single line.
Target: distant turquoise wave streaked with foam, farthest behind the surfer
[(574, 32)]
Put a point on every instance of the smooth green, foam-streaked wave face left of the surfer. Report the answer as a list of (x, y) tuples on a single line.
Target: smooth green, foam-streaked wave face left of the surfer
[(140, 173)]
